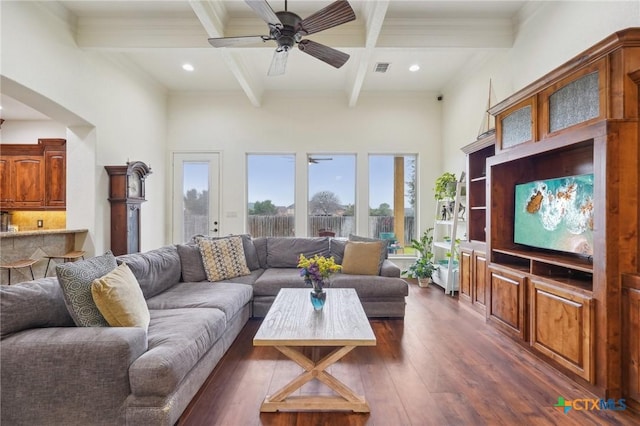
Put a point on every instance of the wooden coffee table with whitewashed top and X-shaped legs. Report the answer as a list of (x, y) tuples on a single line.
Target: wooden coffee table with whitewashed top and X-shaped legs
[(292, 324)]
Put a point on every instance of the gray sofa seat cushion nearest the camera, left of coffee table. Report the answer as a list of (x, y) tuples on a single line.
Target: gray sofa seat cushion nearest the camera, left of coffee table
[(178, 339)]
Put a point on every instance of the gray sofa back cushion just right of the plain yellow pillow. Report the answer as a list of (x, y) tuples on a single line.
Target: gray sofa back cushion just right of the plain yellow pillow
[(156, 270)]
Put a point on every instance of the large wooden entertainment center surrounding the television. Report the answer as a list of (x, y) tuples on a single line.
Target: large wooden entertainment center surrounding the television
[(574, 311)]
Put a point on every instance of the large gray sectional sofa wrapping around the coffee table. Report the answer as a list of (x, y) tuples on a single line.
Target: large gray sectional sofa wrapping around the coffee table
[(55, 373)]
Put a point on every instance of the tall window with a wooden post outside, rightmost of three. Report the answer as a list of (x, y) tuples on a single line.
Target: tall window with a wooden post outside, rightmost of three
[(392, 199)]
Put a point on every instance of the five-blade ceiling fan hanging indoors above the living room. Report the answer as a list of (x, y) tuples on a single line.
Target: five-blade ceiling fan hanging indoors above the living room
[(287, 29)]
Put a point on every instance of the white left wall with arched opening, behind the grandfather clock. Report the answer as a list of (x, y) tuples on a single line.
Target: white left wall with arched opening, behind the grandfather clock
[(111, 114)]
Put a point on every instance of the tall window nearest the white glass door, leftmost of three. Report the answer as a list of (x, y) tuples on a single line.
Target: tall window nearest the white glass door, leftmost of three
[(270, 195)]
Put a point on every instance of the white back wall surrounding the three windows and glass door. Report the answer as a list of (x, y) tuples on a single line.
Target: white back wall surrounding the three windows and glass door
[(381, 123)]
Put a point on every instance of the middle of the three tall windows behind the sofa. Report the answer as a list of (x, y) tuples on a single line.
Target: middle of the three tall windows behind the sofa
[(332, 194)]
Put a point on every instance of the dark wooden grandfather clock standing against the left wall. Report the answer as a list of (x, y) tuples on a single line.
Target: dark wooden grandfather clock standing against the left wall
[(126, 194)]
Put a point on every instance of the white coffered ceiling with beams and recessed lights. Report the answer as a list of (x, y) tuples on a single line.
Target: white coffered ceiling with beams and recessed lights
[(445, 38)]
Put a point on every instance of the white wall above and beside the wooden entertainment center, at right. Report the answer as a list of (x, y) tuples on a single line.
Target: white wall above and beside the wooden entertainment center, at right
[(555, 32)]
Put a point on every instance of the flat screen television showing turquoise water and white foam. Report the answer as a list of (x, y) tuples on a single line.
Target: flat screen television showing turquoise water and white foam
[(555, 214)]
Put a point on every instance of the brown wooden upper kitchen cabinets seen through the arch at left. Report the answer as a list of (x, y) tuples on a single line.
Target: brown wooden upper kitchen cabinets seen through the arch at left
[(33, 176)]
